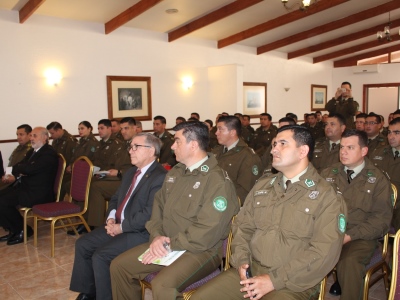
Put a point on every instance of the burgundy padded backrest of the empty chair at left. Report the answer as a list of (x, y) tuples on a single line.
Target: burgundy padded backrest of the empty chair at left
[(82, 171)]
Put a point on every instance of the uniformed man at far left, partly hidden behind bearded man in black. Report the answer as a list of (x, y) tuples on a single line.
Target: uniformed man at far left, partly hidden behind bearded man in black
[(24, 145)]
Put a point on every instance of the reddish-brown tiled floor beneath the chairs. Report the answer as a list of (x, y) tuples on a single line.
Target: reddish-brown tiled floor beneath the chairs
[(30, 273)]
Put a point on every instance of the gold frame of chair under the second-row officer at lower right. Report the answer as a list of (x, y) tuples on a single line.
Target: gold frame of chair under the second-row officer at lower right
[(381, 265)]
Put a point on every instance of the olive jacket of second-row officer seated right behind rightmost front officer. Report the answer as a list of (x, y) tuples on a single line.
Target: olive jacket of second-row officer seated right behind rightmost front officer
[(368, 200)]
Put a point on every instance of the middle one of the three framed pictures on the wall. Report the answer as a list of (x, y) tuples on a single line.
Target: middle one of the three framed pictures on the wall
[(254, 98)]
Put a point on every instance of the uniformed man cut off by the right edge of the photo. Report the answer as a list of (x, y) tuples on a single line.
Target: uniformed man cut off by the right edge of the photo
[(389, 161)]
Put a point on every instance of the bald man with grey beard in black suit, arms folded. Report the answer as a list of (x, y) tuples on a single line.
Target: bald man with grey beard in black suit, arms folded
[(33, 179)]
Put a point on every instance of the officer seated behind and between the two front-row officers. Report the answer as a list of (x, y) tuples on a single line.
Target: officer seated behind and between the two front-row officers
[(235, 157)]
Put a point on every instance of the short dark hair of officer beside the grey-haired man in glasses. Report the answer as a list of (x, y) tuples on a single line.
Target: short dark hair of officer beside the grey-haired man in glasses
[(195, 131)]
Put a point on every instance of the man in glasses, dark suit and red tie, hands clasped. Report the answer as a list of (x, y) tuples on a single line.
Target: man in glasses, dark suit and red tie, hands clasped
[(129, 209)]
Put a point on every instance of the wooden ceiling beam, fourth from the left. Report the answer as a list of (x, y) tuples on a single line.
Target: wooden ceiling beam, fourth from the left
[(279, 21)]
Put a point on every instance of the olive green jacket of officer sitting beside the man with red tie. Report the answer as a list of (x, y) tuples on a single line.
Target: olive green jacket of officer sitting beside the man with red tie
[(194, 209)]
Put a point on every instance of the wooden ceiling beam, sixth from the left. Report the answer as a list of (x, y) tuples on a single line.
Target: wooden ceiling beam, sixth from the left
[(341, 40)]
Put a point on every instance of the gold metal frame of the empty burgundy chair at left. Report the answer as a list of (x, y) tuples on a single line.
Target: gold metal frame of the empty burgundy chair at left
[(67, 217)]
